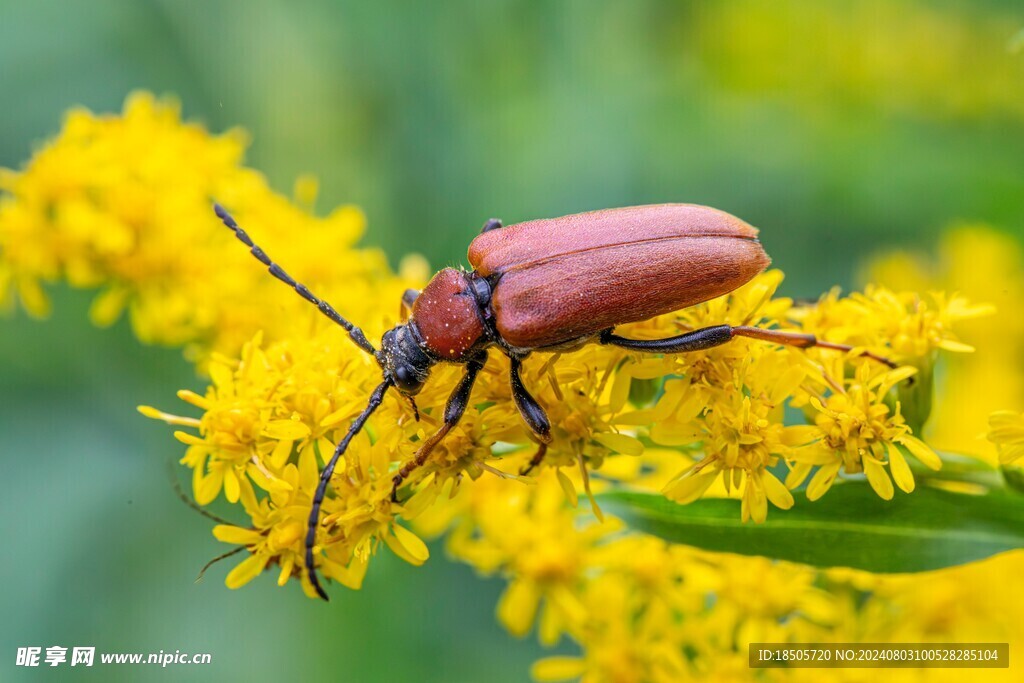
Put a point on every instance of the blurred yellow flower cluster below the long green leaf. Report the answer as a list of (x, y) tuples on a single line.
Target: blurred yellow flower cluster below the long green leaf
[(647, 612)]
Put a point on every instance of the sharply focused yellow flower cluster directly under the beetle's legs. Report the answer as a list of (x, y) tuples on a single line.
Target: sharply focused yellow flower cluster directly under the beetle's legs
[(273, 415)]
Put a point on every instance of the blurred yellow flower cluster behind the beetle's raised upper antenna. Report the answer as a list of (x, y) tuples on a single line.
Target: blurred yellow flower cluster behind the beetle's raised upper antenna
[(122, 204)]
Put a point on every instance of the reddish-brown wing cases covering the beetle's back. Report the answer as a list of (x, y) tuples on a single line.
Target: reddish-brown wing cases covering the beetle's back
[(569, 278)]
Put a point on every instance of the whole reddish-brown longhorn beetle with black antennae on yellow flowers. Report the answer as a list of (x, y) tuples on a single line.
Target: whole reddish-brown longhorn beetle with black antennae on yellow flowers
[(550, 285)]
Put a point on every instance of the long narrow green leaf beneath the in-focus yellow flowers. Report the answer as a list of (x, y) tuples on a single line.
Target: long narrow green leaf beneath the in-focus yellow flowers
[(850, 528)]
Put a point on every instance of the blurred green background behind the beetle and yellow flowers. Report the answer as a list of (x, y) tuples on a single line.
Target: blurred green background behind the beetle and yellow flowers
[(838, 129)]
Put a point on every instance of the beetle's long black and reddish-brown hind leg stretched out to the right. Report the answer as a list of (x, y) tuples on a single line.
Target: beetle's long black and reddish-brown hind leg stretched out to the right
[(720, 334)]
